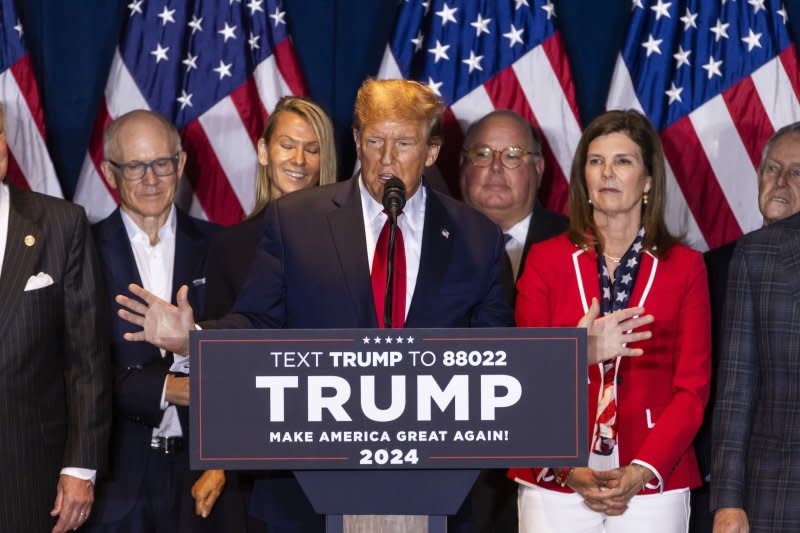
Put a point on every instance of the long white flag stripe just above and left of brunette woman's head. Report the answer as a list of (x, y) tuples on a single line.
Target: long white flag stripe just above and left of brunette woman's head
[(550, 105)]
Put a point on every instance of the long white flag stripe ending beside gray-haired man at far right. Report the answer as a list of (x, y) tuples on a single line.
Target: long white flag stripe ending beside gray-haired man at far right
[(729, 160)]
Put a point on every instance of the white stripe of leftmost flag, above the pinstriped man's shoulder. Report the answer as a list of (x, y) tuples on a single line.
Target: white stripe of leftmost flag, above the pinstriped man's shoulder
[(25, 140)]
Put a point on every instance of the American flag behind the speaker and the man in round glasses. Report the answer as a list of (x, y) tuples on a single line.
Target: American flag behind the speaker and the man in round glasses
[(481, 55)]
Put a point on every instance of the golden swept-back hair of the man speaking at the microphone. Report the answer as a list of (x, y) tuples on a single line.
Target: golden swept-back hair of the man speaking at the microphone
[(379, 100)]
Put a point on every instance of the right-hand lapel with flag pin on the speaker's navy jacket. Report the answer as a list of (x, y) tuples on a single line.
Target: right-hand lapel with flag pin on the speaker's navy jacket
[(438, 233)]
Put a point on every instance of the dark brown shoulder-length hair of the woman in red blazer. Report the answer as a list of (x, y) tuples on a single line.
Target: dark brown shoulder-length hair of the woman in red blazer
[(582, 228)]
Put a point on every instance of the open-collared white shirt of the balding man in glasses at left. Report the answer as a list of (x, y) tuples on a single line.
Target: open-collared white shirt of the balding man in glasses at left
[(156, 263)]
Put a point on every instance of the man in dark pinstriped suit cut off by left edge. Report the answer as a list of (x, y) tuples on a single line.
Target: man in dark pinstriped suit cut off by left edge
[(54, 370)]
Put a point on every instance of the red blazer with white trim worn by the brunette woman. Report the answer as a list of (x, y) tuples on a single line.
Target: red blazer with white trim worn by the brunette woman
[(661, 394)]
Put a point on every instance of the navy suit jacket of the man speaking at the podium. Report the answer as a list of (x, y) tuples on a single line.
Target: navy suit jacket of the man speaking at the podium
[(312, 270)]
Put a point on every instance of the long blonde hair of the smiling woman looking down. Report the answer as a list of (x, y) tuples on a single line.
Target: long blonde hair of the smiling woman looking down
[(323, 129)]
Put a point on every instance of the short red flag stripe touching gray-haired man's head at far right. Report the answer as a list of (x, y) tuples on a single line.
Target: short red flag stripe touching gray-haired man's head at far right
[(749, 117)]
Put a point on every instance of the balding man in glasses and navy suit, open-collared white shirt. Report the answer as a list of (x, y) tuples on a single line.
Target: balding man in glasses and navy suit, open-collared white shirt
[(148, 241)]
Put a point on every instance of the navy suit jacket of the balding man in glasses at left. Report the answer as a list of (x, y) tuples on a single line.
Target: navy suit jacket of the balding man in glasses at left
[(139, 369)]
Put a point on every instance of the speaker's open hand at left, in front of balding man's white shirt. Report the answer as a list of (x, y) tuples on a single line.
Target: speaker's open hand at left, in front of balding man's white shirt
[(163, 324)]
